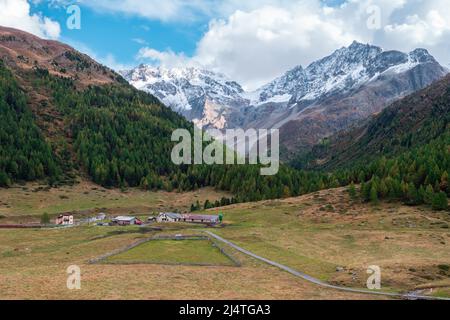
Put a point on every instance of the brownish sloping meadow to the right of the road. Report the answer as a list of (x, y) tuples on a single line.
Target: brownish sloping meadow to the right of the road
[(320, 232)]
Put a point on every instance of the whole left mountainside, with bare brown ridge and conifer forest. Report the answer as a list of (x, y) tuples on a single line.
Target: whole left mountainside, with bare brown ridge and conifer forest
[(65, 118)]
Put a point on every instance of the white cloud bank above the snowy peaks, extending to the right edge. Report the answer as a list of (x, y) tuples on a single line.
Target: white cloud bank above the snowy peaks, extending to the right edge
[(258, 42)]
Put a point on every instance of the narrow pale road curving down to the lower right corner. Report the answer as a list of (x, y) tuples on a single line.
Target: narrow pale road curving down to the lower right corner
[(317, 281)]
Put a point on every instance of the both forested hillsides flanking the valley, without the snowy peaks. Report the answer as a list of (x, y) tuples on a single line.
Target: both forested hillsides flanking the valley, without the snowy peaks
[(64, 117)]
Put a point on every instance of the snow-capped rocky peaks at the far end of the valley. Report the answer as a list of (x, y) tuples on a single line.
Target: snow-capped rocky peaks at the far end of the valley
[(307, 104)]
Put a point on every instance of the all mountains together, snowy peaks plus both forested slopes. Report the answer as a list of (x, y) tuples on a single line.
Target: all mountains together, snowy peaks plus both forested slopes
[(65, 117)]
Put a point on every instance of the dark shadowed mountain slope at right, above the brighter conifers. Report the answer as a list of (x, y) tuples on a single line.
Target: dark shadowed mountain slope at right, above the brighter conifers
[(414, 121)]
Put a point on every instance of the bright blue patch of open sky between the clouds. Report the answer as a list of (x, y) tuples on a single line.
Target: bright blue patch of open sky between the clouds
[(121, 35)]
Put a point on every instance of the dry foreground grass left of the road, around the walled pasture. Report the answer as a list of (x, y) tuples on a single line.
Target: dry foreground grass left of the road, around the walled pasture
[(36, 262)]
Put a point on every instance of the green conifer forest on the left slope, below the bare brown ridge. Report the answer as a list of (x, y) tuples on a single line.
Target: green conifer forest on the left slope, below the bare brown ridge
[(120, 137)]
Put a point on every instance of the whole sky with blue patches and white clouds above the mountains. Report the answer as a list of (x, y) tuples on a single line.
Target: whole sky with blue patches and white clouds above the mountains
[(251, 41)]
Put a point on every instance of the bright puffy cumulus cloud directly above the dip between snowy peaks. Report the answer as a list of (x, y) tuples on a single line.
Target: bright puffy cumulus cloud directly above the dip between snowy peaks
[(256, 46)]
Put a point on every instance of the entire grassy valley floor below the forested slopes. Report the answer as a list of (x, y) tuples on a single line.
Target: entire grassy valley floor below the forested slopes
[(315, 234)]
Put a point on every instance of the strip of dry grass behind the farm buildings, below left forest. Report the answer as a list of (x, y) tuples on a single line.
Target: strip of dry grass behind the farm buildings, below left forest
[(27, 203)]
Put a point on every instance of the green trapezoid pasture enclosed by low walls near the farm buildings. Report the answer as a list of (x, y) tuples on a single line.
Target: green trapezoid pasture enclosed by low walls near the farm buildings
[(178, 252)]
